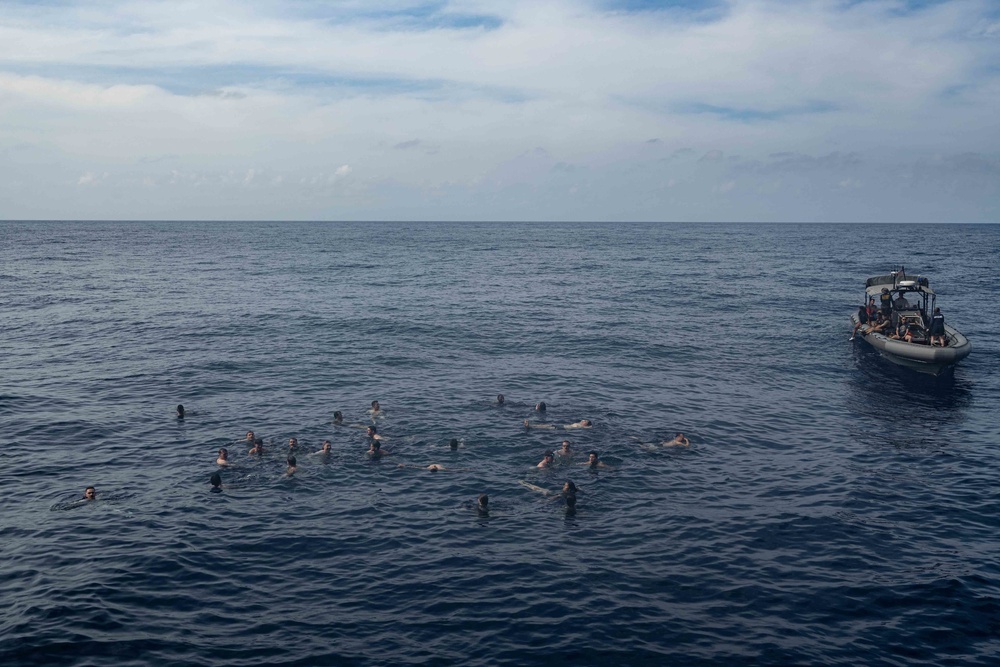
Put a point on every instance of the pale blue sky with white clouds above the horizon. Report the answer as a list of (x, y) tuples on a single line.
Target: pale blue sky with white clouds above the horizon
[(542, 110)]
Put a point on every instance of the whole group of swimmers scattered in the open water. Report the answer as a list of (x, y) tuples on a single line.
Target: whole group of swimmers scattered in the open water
[(376, 452)]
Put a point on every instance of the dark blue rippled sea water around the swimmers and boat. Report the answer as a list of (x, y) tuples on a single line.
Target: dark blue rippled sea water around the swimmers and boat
[(831, 510)]
